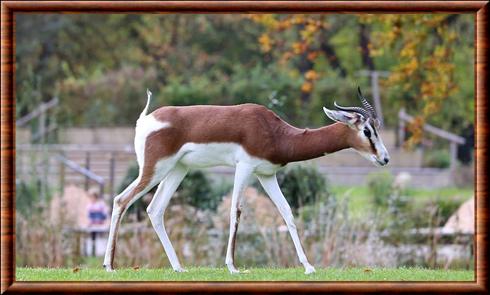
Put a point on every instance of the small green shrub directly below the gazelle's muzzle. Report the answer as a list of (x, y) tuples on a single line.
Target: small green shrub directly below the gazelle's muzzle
[(380, 186)]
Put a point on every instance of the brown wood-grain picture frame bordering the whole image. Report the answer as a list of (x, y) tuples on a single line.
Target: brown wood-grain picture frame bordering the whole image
[(10, 8)]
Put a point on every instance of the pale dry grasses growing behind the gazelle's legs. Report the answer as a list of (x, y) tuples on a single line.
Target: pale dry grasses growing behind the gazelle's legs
[(330, 237)]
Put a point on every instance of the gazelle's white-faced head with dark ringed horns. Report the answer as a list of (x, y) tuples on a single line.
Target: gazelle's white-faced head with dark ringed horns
[(364, 125)]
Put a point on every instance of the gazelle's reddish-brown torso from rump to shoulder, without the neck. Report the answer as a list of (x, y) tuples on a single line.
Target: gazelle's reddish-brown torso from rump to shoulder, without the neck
[(258, 130)]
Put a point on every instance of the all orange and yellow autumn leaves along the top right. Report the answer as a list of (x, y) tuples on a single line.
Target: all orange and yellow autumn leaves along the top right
[(424, 46)]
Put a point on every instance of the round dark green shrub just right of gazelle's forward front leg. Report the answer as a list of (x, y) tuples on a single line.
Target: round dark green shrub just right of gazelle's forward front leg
[(302, 186)]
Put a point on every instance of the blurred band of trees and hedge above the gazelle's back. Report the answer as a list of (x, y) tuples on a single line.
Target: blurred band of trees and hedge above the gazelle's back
[(100, 65)]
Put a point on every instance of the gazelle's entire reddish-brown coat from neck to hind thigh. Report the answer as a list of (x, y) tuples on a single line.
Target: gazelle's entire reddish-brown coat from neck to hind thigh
[(258, 130)]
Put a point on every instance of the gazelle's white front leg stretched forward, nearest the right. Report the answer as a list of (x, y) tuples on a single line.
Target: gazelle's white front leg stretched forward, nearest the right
[(274, 191)]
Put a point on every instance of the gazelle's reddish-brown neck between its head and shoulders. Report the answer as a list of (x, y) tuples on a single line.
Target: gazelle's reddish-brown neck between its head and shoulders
[(314, 143)]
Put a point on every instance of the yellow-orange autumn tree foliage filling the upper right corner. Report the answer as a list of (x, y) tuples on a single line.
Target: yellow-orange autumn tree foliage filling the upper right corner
[(424, 76)]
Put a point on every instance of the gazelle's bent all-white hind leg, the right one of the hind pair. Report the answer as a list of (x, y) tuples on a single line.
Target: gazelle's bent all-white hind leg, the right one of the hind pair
[(157, 207)]
